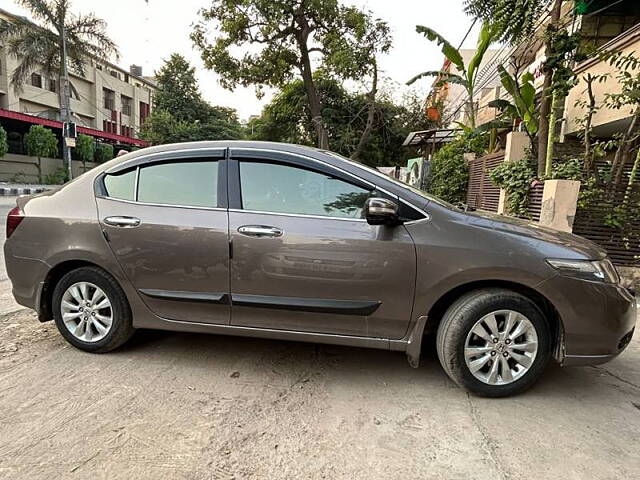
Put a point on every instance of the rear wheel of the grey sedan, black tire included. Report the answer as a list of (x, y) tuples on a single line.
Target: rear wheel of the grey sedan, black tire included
[(109, 336)]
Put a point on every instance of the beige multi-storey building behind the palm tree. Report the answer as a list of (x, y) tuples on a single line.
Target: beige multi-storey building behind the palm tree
[(108, 102)]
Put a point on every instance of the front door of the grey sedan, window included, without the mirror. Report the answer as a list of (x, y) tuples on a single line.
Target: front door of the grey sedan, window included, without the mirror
[(303, 257)]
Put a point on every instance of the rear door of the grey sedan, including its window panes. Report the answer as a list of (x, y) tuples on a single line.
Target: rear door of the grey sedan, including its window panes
[(165, 219)]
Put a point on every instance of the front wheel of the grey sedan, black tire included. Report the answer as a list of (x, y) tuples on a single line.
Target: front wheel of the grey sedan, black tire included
[(486, 312)]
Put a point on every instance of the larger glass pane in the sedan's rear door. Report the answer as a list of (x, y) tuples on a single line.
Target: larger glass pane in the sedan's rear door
[(180, 183)]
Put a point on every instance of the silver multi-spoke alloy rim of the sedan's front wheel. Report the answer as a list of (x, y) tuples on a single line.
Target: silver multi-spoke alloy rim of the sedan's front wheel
[(501, 347)]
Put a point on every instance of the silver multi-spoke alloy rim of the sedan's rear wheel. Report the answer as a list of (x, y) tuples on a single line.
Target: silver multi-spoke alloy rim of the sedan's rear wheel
[(86, 312)]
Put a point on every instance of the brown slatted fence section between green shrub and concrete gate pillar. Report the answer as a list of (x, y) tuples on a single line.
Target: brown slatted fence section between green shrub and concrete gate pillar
[(482, 194)]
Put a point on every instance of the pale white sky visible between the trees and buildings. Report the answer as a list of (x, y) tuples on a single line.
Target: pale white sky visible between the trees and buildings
[(148, 32)]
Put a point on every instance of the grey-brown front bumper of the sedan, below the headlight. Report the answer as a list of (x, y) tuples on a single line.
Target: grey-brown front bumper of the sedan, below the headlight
[(598, 319)]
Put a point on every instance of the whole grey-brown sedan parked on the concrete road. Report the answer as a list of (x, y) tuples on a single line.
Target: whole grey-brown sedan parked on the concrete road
[(288, 242)]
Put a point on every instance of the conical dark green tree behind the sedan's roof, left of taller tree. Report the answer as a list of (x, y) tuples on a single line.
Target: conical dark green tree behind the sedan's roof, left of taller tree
[(181, 114)]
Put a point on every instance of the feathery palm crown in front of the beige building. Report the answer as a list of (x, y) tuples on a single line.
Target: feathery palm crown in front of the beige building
[(38, 46)]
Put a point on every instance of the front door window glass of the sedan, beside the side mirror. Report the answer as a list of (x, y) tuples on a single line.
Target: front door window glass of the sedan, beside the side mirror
[(277, 188)]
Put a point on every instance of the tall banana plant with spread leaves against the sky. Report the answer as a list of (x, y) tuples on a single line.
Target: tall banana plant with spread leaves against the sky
[(468, 74)]
